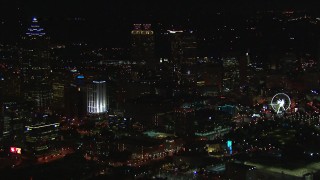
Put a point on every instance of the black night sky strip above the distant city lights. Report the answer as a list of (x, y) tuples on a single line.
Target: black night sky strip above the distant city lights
[(109, 7)]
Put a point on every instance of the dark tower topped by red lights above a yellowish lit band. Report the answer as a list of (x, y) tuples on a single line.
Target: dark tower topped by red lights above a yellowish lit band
[(142, 44)]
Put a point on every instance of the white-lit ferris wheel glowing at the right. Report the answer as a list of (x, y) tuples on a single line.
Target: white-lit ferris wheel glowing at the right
[(280, 103)]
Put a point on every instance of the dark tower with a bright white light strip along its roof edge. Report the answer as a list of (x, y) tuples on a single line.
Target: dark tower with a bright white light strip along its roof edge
[(183, 47)]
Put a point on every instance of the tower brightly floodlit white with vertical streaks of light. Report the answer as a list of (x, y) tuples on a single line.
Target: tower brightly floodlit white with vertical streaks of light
[(97, 100)]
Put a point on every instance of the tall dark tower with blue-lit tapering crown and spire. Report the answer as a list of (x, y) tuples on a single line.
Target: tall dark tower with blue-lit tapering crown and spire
[(35, 66)]
